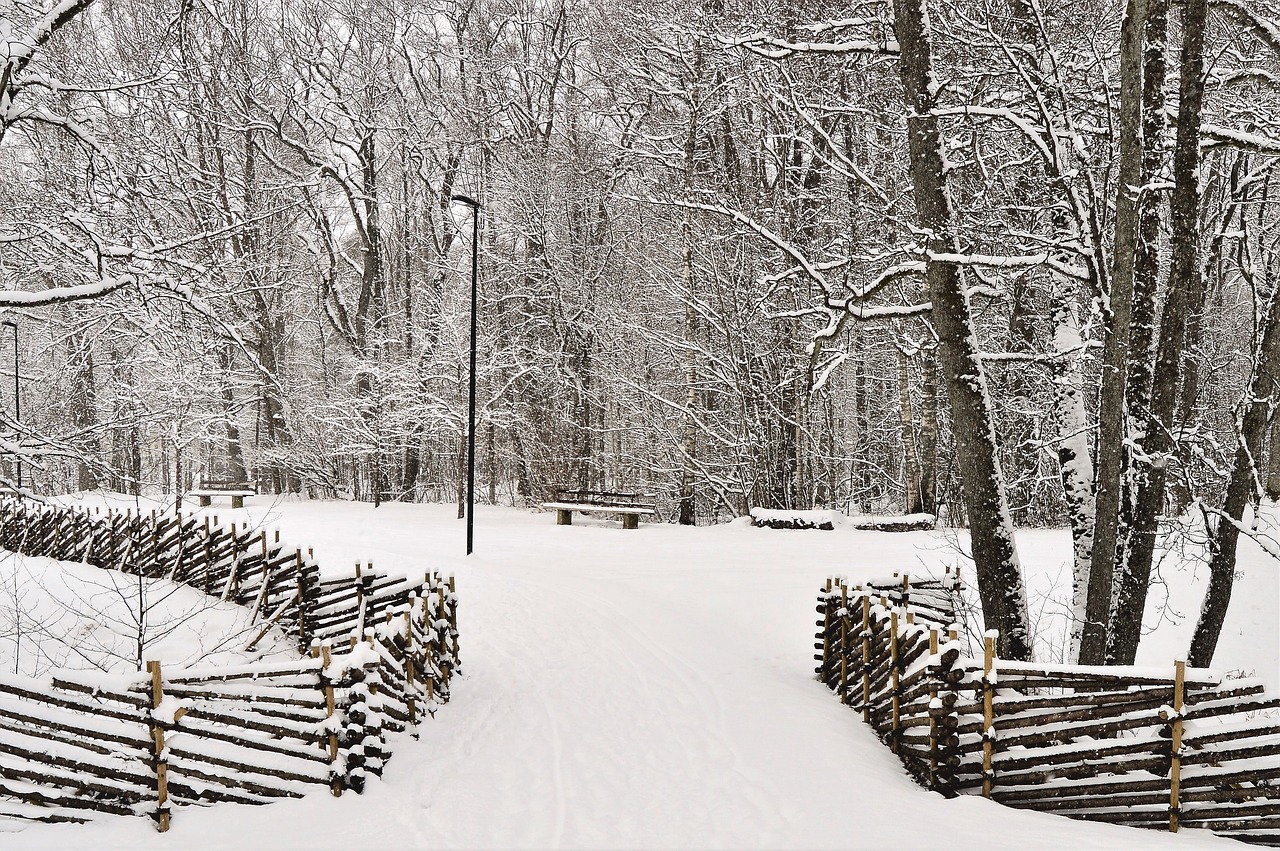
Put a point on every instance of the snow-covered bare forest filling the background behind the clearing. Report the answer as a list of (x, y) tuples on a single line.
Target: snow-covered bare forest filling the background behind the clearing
[(1011, 263)]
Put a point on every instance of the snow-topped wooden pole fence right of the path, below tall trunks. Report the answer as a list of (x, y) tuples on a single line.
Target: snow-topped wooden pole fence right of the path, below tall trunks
[(1128, 745)]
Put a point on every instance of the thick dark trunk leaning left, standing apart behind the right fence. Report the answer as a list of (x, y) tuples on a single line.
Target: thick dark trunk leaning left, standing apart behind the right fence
[(1000, 579)]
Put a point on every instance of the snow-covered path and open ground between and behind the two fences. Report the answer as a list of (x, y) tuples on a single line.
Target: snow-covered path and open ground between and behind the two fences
[(655, 689)]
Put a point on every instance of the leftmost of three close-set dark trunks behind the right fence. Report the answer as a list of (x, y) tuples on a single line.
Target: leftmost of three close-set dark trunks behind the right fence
[(1116, 349)]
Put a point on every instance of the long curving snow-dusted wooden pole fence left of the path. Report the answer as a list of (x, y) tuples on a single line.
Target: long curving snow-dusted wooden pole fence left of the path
[(378, 653)]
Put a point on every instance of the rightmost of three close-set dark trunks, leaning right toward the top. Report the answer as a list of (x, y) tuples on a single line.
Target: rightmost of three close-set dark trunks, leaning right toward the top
[(1158, 446)]
